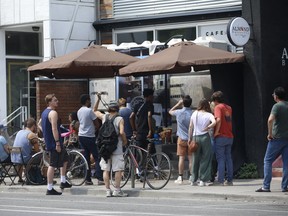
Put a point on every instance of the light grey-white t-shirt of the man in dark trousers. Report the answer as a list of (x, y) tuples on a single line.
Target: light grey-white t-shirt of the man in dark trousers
[(86, 117)]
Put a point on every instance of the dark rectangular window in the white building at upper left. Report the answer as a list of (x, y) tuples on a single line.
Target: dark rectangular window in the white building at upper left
[(22, 43)]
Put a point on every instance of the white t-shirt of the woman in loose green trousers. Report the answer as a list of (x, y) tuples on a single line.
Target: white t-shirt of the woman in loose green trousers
[(203, 120)]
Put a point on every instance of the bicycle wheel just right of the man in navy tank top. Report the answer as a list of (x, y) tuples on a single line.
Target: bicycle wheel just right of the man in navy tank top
[(77, 168)]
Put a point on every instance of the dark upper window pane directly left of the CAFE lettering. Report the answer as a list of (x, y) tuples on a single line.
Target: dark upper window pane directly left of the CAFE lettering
[(188, 33)]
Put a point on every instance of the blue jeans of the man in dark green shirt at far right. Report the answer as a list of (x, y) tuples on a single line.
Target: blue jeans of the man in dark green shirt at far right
[(276, 147)]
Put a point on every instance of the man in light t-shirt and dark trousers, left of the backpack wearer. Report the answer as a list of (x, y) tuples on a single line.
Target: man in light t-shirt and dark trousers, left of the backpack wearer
[(87, 137)]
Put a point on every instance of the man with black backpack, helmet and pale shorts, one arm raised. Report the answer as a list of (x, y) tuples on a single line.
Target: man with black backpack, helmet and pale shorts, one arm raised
[(110, 134)]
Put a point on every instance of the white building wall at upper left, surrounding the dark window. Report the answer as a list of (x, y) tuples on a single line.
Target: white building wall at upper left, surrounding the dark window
[(66, 25)]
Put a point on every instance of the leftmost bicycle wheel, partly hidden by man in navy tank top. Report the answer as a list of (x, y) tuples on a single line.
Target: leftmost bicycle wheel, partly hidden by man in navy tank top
[(36, 170)]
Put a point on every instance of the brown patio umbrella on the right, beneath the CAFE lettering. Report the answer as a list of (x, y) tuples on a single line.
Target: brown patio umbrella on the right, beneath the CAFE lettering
[(179, 58)]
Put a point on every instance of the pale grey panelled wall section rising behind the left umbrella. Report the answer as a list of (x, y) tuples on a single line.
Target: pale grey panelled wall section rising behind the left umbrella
[(70, 26)]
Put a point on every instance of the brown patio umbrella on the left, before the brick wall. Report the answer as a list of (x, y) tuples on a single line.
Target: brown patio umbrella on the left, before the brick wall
[(91, 62)]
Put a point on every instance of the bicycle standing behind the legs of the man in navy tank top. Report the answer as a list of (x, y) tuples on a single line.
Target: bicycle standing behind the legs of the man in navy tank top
[(36, 168)]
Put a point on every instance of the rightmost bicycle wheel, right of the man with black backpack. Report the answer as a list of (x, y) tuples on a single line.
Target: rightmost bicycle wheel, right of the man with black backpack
[(158, 171)]
